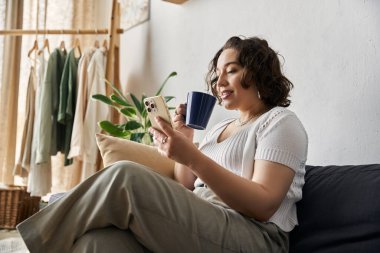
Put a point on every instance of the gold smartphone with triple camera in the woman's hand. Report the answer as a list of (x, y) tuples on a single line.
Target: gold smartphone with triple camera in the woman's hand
[(156, 106)]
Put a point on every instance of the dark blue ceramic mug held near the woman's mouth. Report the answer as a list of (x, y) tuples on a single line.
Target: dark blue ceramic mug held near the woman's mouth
[(199, 108)]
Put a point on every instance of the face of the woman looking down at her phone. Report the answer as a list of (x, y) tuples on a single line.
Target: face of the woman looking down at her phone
[(229, 72)]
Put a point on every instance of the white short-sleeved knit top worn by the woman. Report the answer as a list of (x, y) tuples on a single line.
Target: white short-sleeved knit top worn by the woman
[(277, 136)]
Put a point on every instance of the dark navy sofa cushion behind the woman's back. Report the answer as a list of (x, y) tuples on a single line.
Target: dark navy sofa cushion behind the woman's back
[(339, 211)]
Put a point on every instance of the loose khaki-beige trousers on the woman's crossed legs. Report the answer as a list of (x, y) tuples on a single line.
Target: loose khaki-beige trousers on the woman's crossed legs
[(129, 208)]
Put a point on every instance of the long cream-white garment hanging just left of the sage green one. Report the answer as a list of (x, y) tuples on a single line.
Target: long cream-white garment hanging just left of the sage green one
[(39, 180)]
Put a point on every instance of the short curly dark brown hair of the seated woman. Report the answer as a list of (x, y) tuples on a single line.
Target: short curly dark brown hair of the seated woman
[(261, 69)]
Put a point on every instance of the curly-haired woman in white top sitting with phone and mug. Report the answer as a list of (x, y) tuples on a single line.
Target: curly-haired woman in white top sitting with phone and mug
[(245, 177)]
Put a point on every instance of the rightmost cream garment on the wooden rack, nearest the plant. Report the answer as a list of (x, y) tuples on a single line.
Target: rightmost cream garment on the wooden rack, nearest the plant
[(86, 147)]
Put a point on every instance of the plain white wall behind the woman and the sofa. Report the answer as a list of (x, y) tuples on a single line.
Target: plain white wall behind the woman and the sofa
[(331, 51)]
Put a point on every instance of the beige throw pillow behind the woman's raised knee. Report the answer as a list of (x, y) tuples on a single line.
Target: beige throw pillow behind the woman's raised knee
[(113, 149)]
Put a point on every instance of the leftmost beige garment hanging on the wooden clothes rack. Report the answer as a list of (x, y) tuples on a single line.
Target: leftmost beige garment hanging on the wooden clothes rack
[(22, 167)]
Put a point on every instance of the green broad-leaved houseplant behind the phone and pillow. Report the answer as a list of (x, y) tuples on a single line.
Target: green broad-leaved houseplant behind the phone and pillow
[(136, 123)]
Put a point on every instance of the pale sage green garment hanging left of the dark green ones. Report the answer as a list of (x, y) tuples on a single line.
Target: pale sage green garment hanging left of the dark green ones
[(50, 133)]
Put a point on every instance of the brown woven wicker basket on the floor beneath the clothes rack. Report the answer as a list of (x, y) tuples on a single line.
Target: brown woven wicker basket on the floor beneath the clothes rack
[(16, 205)]
